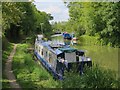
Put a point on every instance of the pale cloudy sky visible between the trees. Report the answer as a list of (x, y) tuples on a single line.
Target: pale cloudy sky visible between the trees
[(56, 8)]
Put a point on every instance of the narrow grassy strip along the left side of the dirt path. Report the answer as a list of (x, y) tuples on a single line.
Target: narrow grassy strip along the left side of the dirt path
[(5, 54)]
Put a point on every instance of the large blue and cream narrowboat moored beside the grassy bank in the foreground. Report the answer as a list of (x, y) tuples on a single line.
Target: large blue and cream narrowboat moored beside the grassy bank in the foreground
[(57, 58)]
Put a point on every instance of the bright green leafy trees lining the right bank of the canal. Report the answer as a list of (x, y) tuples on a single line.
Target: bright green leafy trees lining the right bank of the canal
[(99, 19)]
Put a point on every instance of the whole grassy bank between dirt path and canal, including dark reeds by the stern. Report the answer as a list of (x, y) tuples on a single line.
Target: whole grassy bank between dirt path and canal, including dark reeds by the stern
[(30, 74)]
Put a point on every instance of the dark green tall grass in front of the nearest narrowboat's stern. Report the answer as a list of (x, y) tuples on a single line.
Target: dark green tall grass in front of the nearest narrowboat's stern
[(95, 77)]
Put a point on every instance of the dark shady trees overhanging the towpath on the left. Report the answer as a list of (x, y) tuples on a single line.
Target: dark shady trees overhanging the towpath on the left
[(21, 19)]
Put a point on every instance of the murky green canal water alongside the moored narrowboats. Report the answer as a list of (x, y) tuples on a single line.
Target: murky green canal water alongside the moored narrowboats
[(104, 56)]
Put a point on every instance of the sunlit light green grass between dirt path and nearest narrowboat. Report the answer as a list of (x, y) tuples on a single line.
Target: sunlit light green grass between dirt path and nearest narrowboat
[(29, 73)]
